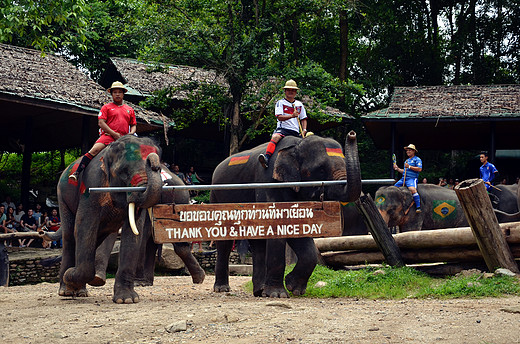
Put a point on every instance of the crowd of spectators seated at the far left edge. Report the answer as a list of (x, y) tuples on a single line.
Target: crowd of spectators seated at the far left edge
[(15, 218)]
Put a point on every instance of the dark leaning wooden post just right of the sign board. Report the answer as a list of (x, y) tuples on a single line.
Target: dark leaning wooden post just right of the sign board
[(379, 230)]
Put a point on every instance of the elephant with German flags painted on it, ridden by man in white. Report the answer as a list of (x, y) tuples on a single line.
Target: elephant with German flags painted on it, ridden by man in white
[(295, 159)]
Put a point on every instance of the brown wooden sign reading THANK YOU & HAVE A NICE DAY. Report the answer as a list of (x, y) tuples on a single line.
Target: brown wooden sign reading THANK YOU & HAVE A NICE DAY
[(236, 221)]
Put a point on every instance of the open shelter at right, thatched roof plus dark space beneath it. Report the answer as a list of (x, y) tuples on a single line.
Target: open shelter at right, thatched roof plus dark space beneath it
[(448, 117)]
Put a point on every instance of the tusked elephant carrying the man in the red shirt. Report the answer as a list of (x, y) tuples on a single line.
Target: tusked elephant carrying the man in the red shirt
[(87, 219)]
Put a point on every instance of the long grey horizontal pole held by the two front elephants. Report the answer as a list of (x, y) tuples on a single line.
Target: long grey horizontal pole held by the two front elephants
[(244, 186)]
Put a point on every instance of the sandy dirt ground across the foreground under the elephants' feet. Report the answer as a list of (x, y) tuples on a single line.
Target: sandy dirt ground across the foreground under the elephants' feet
[(36, 314)]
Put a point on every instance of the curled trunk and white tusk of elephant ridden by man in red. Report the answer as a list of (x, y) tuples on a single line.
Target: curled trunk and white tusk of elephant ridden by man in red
[(152, 195)]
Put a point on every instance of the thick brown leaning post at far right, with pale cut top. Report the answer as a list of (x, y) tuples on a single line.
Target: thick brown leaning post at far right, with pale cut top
[(477, 207)]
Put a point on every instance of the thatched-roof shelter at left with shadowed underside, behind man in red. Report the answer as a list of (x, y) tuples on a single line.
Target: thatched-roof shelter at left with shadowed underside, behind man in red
[(51, 92)]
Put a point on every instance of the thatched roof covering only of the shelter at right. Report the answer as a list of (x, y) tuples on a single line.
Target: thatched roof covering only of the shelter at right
[(454, 102)]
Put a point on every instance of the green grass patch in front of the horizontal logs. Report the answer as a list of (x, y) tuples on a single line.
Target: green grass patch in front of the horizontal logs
[(400, 283)]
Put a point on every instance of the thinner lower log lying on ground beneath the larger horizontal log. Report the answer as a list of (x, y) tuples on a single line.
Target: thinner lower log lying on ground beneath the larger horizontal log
[(461, 254)]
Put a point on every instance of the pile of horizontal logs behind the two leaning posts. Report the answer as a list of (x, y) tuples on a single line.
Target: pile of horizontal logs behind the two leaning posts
[(440, 245)]
